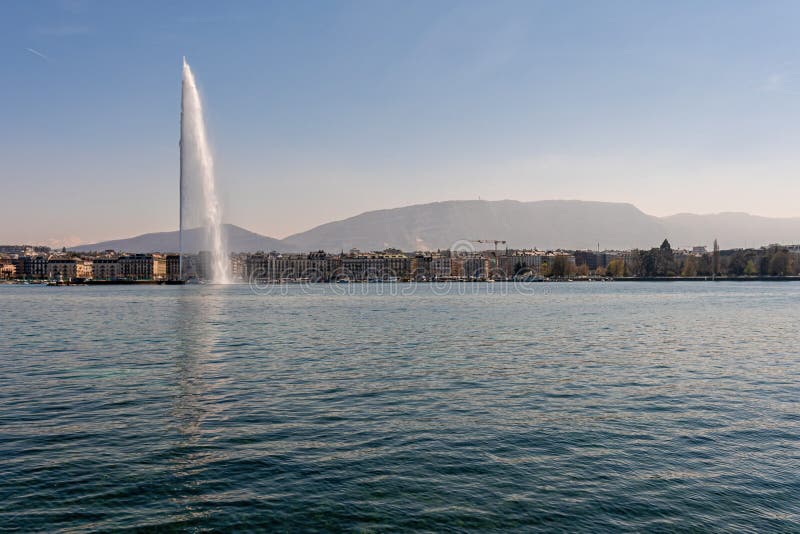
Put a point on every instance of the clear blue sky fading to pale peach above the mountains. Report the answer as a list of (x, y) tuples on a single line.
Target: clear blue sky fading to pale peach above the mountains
[(321, 110)]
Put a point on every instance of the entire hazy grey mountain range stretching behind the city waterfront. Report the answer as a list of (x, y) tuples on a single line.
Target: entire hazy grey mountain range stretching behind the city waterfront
[(547, 224)]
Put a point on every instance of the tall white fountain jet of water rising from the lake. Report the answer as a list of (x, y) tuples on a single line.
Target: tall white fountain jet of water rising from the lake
[(199, 206)]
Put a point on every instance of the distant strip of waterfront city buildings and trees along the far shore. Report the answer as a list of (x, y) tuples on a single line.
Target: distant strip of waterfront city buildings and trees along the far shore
[(462, 262)]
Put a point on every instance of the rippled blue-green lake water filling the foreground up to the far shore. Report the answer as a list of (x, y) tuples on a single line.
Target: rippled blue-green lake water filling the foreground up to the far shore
[(579, 407)]
